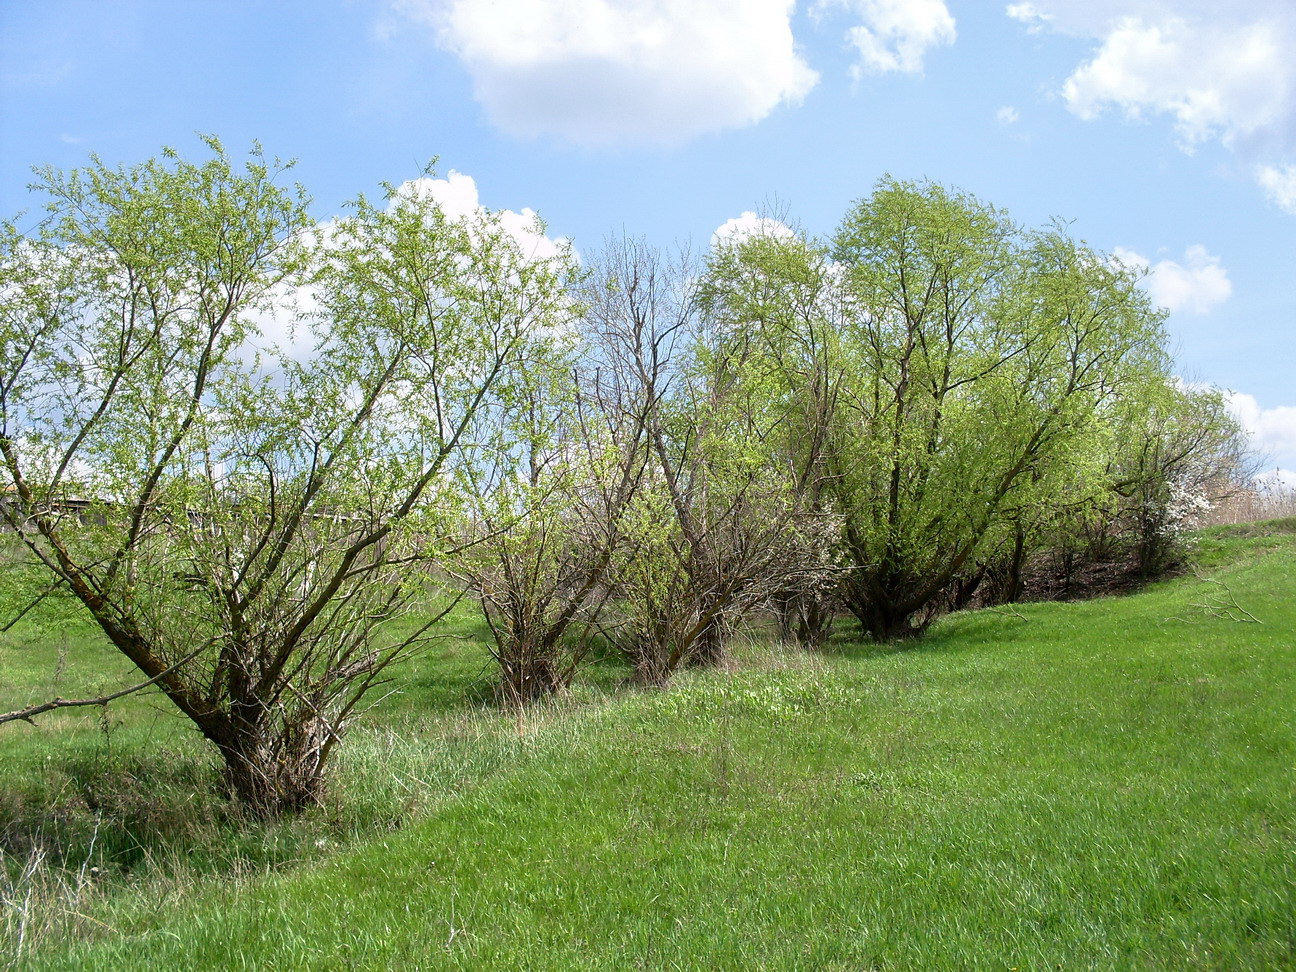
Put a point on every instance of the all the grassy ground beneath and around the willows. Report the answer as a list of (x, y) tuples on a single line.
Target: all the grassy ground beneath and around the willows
[(1106, 785)]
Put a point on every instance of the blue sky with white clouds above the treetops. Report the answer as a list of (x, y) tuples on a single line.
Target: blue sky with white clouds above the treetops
[(1164, 130)]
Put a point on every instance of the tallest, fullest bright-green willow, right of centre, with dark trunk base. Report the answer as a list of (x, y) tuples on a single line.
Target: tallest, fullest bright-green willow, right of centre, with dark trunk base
[(987, 361)]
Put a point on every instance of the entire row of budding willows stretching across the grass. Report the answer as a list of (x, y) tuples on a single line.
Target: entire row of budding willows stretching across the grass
[(638, 453)]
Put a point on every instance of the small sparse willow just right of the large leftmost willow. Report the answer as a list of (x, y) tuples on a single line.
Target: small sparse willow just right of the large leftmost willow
[(550, 492)]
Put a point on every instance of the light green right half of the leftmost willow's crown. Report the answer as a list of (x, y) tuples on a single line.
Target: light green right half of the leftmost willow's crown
[(432, 335)]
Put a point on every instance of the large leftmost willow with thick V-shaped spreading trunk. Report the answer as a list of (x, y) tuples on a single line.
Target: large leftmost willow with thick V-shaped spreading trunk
[(249, 523)]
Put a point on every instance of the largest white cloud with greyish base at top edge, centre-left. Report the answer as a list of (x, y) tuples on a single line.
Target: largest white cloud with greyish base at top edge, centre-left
[(608, 72)]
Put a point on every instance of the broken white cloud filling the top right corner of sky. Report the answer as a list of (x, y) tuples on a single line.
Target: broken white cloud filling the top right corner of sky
[(1218, 69)]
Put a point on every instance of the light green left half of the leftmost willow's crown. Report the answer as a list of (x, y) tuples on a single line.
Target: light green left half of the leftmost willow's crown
[(124, 309)]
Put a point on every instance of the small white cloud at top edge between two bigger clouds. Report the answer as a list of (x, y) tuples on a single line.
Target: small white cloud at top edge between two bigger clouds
[(895, 36)]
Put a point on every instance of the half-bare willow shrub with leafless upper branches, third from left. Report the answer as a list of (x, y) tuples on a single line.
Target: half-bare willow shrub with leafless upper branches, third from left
[(715, 527)]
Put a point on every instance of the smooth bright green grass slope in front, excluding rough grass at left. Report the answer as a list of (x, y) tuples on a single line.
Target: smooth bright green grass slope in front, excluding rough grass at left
[(1085, 786)]
